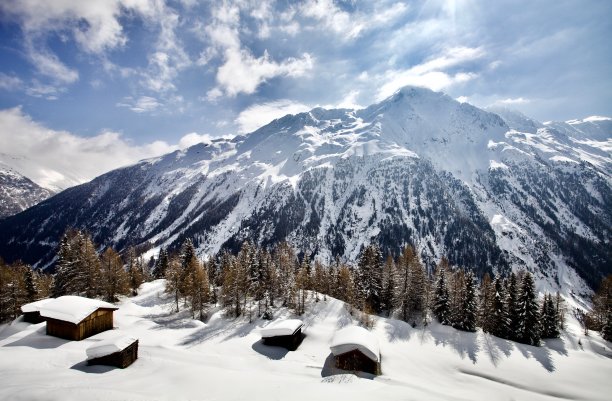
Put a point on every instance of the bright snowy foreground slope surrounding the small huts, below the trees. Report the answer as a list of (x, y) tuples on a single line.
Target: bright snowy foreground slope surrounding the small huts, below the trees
[(224, 359)]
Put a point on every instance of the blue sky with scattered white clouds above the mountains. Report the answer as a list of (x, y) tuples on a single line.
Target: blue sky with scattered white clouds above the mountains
[(135, 78)]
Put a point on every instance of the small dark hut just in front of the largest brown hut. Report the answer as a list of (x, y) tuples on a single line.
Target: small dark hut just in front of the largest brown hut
[(120, 352)]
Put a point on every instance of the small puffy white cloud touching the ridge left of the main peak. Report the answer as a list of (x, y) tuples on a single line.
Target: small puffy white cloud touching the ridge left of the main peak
[(258, 115)]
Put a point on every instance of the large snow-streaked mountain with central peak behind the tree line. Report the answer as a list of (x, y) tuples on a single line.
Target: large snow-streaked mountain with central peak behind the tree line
[(490, 191)]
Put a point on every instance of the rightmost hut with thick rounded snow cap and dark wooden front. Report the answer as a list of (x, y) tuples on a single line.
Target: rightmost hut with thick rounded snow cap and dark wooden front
[(356, 349)]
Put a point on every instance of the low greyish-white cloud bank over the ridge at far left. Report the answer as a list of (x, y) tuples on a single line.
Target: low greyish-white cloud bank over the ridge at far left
[(60, 159)]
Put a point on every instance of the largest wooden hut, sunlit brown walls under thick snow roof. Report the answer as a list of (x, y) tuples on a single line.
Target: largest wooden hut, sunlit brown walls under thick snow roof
[(75, 318)]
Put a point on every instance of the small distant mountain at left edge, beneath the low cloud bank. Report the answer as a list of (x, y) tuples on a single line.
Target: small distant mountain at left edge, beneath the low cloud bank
[(18, 192)]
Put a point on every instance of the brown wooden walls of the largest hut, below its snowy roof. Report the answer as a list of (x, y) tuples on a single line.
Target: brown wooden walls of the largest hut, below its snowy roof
[(99, 321)]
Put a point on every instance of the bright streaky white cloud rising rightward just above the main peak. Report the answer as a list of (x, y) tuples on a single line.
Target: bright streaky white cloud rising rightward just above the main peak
[(431, 73)]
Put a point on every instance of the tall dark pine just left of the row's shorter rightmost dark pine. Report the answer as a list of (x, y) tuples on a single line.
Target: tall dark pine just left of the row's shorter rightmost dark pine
[(528, 311)]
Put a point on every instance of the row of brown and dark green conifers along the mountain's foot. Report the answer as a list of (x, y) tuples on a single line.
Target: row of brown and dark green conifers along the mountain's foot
[(255, 280)]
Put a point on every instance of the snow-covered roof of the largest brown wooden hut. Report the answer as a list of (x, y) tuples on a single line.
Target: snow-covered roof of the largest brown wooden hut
[(72, 308)]
